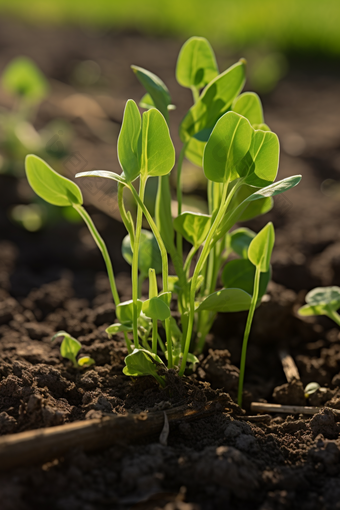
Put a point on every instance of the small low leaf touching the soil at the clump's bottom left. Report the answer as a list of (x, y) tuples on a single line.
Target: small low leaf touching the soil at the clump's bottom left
[(143, 362)]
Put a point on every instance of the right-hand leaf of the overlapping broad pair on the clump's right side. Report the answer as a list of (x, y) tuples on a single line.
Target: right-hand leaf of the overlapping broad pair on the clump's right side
[(259, 167)]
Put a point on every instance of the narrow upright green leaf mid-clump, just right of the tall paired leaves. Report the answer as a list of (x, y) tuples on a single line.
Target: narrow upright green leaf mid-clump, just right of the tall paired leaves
[(163, 213)]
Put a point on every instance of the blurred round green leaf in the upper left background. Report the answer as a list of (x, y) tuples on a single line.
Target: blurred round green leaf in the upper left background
[(22, 78)]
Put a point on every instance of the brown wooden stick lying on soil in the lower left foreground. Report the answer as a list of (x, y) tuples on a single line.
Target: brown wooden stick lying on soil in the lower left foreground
[(42, 445)]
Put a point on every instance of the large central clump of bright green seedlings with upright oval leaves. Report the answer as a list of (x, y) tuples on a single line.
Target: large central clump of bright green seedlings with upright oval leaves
[(225, 134)]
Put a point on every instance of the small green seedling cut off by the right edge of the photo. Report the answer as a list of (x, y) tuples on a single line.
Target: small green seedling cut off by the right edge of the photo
[(322, 301)]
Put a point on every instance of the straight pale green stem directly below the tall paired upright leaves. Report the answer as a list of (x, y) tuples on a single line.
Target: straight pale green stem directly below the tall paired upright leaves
[(134, 274)]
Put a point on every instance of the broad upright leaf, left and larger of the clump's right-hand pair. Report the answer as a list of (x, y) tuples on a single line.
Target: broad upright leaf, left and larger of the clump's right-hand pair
[(228, 143)]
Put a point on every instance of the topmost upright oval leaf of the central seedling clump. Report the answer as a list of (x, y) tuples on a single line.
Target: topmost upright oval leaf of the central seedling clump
[(196, 64)]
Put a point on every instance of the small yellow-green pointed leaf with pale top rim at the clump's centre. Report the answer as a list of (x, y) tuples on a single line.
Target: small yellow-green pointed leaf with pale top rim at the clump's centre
[(194, 227)]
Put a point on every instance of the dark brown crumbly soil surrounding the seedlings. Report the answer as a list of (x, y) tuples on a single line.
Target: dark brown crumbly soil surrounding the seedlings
[(54, 279)]
